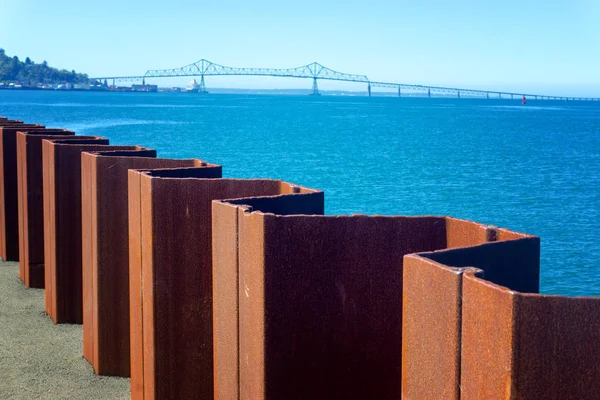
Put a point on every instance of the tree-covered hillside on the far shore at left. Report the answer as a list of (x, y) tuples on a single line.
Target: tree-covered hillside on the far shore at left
[(31, 74)]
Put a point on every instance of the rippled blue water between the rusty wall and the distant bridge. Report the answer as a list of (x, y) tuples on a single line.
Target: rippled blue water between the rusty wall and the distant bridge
[(533, 168)]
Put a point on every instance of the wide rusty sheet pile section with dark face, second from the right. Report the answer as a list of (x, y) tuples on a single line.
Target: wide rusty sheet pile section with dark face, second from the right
[(320, 299)]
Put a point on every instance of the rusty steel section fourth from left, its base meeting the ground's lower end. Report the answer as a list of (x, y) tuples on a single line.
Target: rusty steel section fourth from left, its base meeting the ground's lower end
[(105, 254)]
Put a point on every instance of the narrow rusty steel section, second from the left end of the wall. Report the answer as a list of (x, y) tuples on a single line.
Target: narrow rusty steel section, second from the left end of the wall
[(31, 204)]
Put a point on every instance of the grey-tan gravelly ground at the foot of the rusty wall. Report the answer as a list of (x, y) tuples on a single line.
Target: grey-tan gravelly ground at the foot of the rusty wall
[(40, 360)]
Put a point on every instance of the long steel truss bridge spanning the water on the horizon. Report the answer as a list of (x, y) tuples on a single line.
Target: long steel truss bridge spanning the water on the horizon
[(316, 71)]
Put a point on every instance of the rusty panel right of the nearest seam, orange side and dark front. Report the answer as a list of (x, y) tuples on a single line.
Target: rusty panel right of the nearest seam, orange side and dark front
[(528, 346)]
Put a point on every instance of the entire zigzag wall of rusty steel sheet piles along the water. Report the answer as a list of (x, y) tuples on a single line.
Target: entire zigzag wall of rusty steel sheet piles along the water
[(203, 287)]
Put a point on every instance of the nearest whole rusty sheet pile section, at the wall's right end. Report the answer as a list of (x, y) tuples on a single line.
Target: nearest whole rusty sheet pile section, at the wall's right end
[(511, 342)]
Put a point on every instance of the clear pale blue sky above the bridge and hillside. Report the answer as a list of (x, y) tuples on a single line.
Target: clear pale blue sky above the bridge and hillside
[(528, 45)]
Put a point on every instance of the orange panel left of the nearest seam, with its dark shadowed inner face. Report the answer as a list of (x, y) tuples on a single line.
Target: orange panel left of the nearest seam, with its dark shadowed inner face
[(434, 306)]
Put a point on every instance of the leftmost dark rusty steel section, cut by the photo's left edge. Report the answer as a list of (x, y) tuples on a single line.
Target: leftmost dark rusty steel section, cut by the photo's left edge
[(9, 215)]
